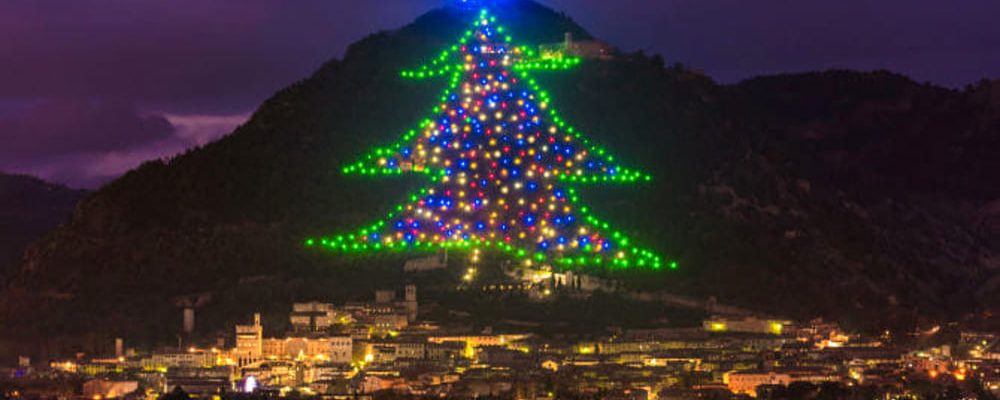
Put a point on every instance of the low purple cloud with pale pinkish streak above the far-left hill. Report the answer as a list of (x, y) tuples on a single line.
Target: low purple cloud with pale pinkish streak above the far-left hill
[(87, 143)]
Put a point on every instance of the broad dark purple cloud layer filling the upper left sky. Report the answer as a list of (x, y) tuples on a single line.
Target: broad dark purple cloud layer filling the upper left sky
[(180, 55)]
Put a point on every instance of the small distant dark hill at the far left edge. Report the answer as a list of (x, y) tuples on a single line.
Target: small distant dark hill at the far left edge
[(29, 207)]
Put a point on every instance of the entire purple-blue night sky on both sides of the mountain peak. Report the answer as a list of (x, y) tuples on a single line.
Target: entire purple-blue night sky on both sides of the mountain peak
[(90, 88)]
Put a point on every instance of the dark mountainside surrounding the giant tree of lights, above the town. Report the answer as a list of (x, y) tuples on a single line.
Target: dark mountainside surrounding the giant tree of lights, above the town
[(837, 193)]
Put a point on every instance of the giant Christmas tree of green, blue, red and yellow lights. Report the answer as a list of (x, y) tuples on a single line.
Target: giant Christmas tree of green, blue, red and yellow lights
[(501, 163)]
